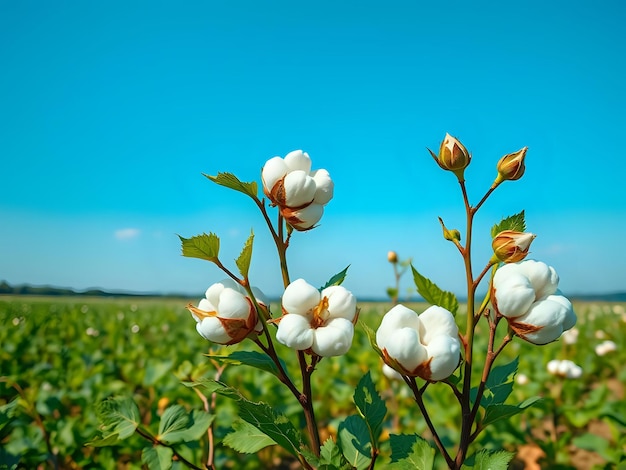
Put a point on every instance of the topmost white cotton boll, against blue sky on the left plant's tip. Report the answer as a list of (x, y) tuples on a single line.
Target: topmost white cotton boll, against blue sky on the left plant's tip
[(300, 193)]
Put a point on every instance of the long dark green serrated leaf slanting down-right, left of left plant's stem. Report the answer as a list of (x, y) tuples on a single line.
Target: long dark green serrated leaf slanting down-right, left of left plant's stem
[(273, 424)]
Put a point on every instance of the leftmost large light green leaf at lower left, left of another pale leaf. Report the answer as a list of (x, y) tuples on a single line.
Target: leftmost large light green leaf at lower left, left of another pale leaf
[(119, 416)]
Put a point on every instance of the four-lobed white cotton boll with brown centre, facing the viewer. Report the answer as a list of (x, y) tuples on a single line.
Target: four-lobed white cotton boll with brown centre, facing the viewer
[(321, 322)]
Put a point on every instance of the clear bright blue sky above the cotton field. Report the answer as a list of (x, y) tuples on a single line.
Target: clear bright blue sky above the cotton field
[(110, 112)]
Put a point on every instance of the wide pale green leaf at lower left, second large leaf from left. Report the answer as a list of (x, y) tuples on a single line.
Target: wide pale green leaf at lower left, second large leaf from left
[(179, 425)]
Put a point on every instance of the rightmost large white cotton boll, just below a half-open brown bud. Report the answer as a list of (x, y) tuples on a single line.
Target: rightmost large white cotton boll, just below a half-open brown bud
[(526, 294)]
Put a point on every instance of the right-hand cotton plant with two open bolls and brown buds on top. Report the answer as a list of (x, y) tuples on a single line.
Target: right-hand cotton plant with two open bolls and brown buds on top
[(428, 350)]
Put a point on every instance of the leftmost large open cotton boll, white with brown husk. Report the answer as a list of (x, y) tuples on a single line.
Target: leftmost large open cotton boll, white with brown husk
[(227, 315)]
